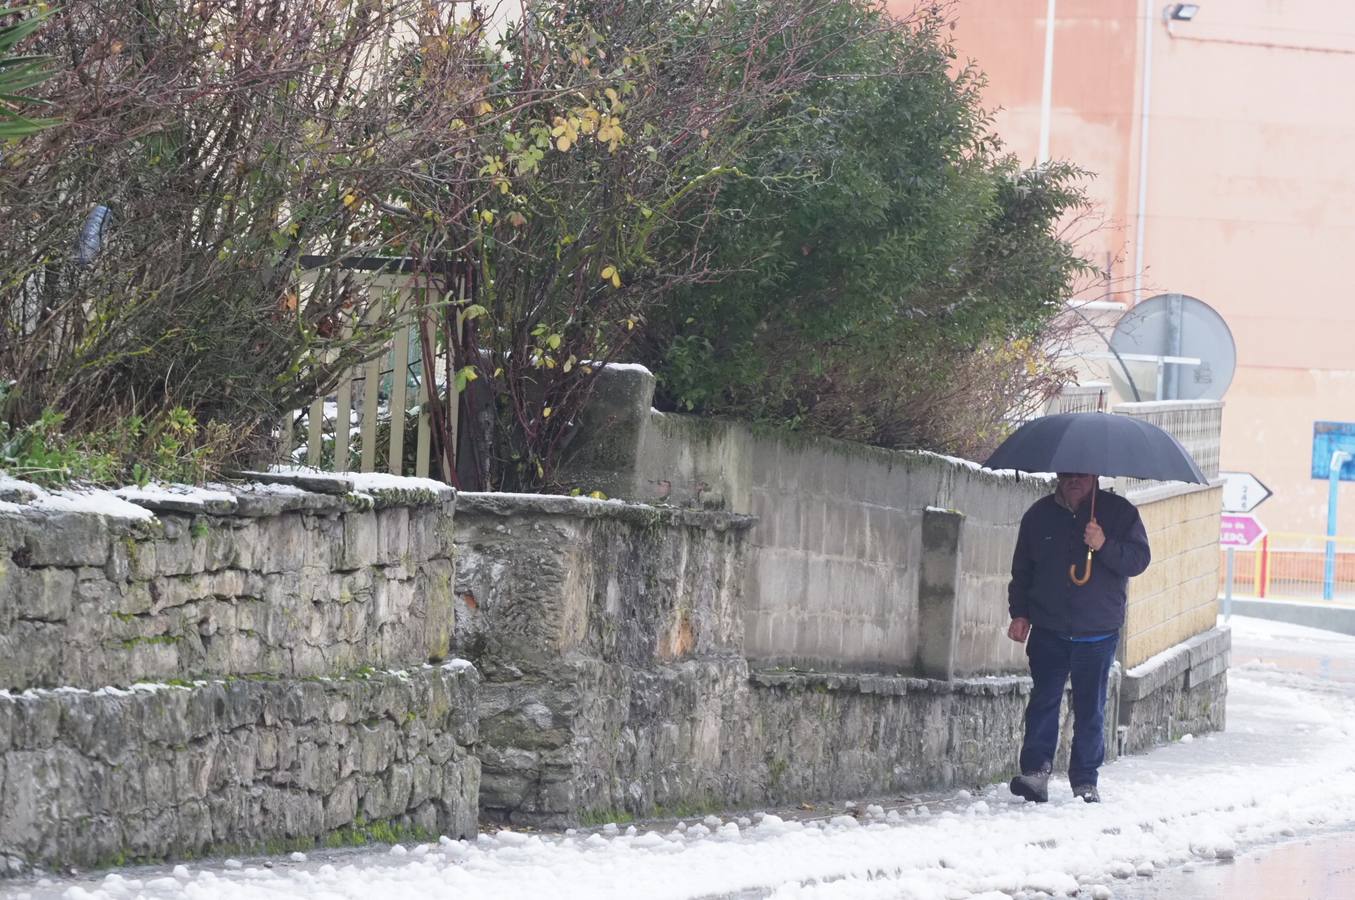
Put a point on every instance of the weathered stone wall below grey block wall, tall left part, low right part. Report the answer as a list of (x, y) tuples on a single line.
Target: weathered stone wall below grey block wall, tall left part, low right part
[(612, 647)]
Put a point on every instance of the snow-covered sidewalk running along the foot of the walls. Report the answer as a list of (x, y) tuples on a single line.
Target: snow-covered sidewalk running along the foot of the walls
[(1284, 768)]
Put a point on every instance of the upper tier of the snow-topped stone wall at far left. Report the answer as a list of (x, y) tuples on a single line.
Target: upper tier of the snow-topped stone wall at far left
[(288, 584)]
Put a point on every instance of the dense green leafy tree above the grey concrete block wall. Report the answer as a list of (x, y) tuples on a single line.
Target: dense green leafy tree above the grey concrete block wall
[(883, 247)]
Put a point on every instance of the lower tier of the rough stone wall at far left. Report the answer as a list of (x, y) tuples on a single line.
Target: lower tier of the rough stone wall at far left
[(174, 772)]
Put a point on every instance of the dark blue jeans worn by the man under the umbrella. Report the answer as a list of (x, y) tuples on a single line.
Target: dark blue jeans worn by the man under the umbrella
[(1054, 661)]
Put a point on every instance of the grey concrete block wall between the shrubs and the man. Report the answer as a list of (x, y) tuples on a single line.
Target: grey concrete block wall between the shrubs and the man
[(835, 556)]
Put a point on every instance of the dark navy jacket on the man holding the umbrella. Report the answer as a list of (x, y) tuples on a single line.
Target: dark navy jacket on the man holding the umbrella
[(1051, 541)]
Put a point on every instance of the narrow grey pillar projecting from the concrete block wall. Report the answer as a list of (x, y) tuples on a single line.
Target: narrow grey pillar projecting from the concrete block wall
[(938, 608)]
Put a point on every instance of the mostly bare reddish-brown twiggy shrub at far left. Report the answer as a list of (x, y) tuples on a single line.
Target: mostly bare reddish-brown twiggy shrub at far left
[(155, 239)]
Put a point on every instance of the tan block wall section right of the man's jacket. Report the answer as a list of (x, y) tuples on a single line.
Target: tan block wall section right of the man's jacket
[(1177, 598)]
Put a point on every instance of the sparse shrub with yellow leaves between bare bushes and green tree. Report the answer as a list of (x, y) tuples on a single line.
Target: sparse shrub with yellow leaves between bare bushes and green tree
[(604, 196)]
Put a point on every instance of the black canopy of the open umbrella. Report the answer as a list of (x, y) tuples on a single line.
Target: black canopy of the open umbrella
[(1097, 444)]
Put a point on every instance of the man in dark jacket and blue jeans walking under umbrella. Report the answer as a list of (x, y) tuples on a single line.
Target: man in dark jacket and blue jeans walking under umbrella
[(1070, 621)]
